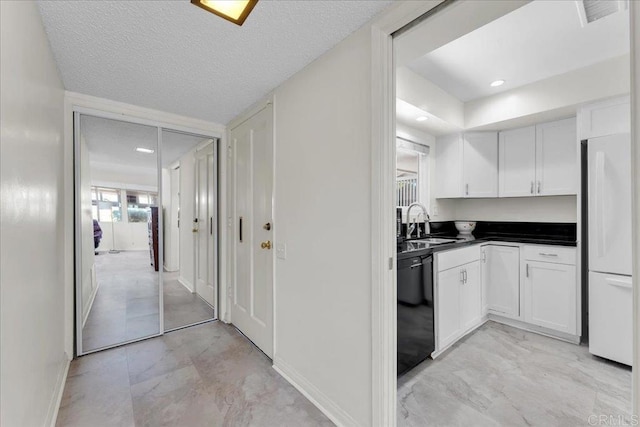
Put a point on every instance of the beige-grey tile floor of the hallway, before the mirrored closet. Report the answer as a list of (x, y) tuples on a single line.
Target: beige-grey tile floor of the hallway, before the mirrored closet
[(206, 375)]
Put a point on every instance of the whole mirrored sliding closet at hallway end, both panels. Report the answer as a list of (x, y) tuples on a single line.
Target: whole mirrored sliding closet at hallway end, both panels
[(147, 231)]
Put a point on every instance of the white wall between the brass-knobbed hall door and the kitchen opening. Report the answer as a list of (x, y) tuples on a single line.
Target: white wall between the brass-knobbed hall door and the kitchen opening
[(323, 215)]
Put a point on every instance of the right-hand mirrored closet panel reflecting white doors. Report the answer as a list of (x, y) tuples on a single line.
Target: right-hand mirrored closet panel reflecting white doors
[(189, 183)]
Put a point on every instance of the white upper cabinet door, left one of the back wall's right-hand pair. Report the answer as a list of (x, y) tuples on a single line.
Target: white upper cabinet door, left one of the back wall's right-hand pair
[(517, 150)]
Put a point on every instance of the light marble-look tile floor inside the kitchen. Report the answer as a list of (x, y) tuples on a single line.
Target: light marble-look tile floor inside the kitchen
[(502, 376)]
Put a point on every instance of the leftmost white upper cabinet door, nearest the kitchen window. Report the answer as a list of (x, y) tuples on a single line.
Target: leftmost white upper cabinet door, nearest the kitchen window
[(448, 166)]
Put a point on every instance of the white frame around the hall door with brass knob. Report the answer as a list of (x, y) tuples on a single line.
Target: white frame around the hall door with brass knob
[(227, 293)]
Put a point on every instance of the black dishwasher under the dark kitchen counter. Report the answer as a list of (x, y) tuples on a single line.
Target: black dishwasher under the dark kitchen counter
[(416, 339)]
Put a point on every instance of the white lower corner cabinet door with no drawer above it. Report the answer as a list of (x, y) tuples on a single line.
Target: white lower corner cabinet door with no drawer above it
[(501, 273)]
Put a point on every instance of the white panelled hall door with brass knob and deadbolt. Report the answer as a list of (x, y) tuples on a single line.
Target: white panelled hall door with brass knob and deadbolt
[(252, 296)]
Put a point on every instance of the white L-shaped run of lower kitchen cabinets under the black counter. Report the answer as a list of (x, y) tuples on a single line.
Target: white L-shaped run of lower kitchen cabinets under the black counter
[(532, 284)]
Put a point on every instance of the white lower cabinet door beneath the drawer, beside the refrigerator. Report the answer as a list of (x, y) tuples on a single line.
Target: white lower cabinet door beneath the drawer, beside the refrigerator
[(550, 296)]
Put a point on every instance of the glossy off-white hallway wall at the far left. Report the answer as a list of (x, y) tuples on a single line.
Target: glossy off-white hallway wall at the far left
[(32, 356)]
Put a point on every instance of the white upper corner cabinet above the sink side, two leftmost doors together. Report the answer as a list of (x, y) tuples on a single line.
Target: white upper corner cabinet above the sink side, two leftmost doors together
[(467, 165)]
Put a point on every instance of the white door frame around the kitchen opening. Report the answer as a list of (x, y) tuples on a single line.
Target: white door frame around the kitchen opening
[(384, 381)]
